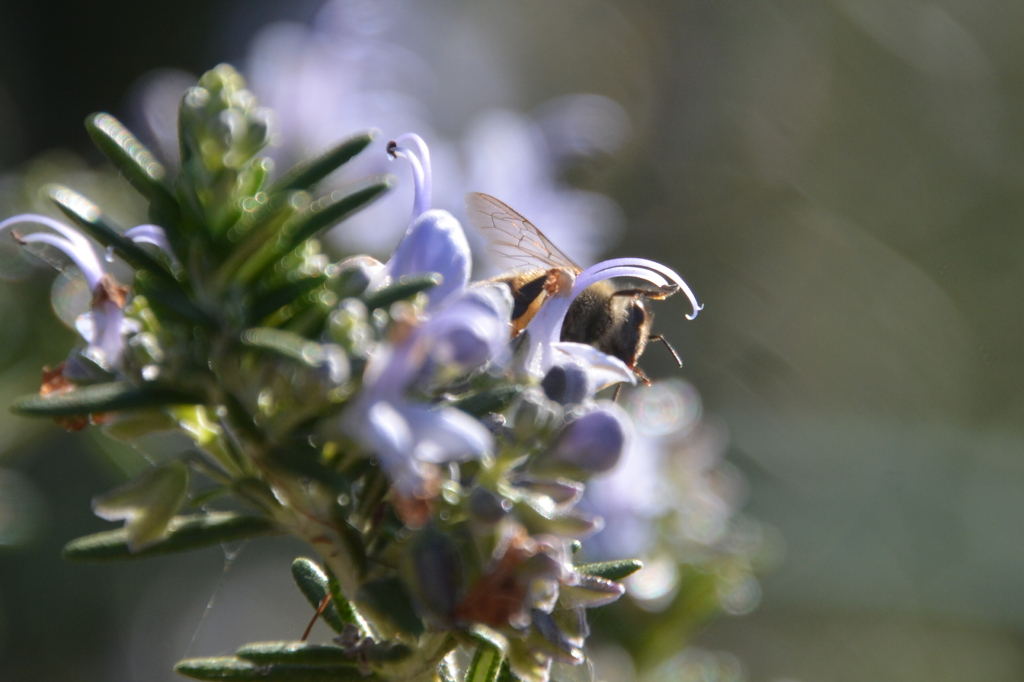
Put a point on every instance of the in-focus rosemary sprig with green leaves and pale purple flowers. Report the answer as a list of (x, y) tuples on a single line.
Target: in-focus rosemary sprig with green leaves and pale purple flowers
[(387, 414)]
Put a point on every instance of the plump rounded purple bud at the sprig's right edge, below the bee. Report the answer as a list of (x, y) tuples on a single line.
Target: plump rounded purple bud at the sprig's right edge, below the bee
[(594, 442)]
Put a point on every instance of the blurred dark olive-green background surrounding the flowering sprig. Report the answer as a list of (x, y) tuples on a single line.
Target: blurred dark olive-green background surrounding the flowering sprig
[(840, 183)]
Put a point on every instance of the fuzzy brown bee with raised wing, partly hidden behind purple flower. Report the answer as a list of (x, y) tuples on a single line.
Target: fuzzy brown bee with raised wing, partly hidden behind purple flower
[(616, 322)]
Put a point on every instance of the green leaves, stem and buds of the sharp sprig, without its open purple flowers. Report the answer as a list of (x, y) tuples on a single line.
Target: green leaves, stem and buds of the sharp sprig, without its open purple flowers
[(252, 343)]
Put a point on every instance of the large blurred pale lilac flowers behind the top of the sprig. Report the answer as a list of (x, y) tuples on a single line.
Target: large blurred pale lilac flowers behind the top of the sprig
[(354, 70)]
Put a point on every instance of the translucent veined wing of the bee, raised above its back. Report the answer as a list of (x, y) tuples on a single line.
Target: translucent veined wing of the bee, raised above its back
[(514, 242)]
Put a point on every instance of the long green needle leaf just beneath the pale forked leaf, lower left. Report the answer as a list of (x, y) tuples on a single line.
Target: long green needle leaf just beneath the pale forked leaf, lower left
[(186, 533)]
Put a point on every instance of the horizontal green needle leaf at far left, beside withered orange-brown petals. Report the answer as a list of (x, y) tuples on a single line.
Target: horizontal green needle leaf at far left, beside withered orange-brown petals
[(102, 398)]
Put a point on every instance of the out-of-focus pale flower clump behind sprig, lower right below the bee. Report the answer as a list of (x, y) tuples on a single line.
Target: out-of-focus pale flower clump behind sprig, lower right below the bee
[(674, 501)]
